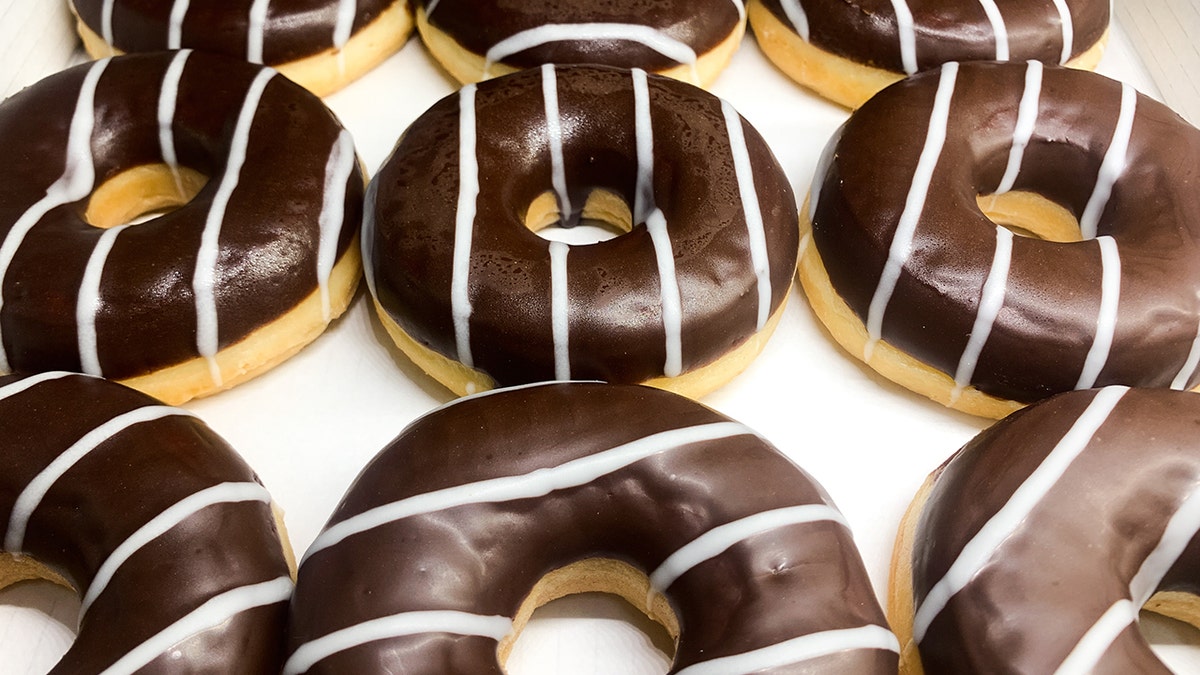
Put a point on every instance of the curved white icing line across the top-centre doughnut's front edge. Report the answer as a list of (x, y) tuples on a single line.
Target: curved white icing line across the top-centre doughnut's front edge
[(544, 34)]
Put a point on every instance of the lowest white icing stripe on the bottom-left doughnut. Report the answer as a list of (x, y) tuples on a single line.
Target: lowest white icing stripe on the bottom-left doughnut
[(212, 614)]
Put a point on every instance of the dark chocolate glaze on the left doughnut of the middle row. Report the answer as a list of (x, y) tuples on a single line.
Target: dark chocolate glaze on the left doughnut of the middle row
[(269, 238)]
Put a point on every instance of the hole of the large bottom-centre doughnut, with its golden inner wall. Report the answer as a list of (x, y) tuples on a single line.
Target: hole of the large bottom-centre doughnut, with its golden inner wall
[(592, 586)]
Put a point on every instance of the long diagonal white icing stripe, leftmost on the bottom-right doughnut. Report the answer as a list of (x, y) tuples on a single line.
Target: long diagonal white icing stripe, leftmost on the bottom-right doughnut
[(1000, 527)]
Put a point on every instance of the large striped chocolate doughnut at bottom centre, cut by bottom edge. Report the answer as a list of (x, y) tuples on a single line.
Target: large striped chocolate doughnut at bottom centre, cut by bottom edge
[(500, 503)]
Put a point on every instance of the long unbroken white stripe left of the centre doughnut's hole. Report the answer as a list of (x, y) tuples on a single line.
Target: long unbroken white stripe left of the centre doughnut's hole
[(465, 225)]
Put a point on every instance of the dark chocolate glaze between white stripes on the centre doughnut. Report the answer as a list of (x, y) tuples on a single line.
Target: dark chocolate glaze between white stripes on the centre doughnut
[(617, 328)]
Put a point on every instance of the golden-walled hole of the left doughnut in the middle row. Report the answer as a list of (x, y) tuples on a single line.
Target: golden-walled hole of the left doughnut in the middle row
[(141, 194)]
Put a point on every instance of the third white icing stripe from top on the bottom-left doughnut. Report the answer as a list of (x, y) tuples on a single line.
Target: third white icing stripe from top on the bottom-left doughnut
[(179, 512)]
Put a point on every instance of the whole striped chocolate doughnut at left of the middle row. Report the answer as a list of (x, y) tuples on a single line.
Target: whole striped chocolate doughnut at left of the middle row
[(255, 255)]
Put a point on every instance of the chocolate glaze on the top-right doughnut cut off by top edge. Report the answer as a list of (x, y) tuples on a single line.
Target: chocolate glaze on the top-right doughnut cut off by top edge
[(947, 31)]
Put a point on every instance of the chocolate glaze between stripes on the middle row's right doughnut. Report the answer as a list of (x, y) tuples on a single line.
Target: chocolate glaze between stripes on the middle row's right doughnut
[(1051, 319)]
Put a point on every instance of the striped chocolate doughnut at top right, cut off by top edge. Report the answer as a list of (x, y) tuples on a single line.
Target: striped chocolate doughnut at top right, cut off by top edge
[(848, 52)]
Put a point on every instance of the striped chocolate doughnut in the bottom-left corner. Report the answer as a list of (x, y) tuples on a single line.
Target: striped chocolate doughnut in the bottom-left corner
[(154, 519)]
